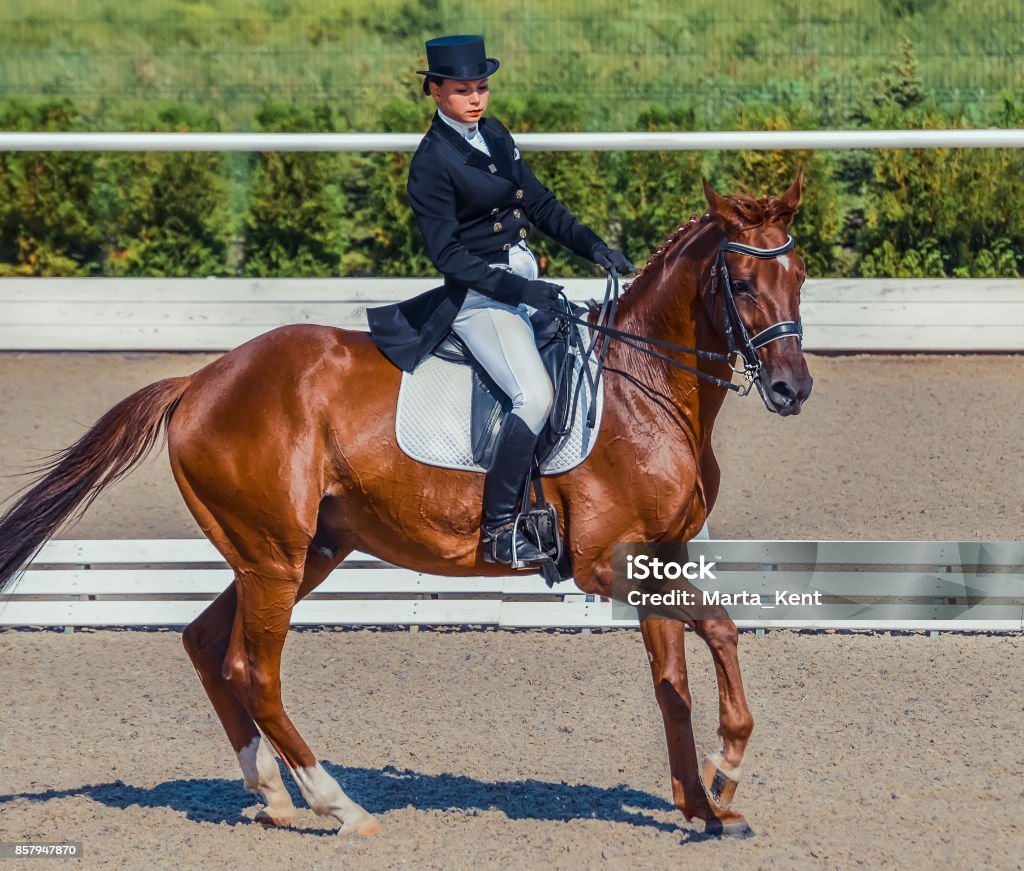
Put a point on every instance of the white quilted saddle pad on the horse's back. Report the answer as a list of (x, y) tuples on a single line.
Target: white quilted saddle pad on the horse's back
[(434, 419)]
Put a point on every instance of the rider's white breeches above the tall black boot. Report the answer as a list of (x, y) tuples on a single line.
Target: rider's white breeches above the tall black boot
[(501, 337)]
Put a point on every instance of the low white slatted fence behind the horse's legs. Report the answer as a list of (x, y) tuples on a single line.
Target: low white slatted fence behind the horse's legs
[(865, 586)]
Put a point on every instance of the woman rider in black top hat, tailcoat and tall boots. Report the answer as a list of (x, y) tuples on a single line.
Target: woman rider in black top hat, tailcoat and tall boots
[(475, 199)]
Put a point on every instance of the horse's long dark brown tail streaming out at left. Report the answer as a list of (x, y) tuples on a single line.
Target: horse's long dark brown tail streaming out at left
[(74, 477)]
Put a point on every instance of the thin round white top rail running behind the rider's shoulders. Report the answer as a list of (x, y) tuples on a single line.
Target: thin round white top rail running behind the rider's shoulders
[(667, 142)]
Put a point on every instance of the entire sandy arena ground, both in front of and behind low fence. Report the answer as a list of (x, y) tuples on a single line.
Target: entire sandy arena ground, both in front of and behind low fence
[(540, 750)]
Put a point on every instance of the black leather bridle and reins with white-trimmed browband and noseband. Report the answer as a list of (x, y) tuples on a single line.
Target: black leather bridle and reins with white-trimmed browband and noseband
[(741, 342)]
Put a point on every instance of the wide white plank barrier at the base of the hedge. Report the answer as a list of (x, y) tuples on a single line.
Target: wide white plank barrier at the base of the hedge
[(217, 315)]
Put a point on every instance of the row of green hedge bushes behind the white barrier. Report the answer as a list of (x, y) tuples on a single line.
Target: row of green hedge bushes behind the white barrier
[(936, 212)]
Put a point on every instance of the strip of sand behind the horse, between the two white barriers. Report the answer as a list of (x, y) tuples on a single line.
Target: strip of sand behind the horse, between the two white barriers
[(886, 448)]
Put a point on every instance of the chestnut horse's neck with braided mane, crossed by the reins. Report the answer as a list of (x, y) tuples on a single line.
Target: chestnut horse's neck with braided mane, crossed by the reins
[(666, 303)]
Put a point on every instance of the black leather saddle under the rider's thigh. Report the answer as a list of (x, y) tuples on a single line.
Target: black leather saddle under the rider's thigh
[(490, 405)]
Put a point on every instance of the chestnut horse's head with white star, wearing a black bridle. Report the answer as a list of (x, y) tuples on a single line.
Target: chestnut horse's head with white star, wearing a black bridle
[(754, 293)]
